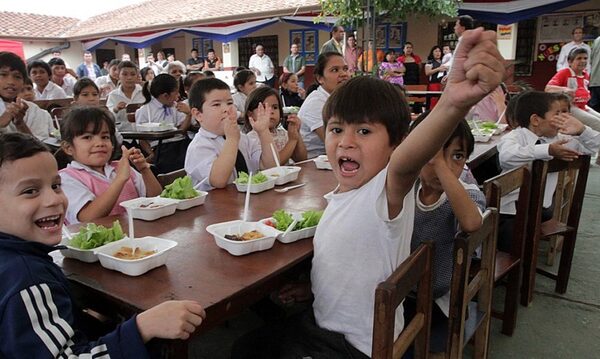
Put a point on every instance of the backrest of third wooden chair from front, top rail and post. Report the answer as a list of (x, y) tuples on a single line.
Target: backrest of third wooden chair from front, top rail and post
[(503, 184)]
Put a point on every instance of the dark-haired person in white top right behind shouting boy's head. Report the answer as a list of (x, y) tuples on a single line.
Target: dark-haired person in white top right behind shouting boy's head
[(330, 72)]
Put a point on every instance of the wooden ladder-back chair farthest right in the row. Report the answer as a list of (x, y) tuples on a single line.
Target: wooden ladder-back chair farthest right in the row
[(537, 230)]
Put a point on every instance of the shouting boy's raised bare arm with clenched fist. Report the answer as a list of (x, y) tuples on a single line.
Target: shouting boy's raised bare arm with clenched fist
[(478, 69)]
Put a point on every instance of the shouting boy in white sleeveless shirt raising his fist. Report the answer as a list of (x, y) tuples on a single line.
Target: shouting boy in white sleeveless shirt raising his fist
[(365, 231)]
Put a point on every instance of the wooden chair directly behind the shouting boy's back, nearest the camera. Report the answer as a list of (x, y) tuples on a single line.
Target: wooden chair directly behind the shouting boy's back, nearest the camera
[(415, 270)]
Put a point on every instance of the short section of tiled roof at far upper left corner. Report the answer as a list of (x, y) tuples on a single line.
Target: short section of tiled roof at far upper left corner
[(24, 25)]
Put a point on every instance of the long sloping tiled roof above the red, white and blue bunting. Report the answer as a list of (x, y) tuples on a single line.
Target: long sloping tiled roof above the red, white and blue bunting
[(158, 14)]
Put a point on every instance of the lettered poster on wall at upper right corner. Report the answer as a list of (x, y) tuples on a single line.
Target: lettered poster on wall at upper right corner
[(557, 28)]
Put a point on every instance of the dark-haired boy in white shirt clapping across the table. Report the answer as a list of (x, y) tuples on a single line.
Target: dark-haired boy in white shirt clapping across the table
[(219, 151)]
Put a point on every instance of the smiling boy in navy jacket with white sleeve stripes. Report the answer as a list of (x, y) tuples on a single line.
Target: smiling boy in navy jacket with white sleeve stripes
[(36, 311)]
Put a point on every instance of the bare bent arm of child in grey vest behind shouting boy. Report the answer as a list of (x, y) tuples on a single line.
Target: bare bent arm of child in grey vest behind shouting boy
[(465, 210)]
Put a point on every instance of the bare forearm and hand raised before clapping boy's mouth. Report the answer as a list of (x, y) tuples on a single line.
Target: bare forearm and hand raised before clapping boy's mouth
[(225, 162)]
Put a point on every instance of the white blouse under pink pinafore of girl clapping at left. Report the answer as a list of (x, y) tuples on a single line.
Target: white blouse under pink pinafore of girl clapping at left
[(79, 195)]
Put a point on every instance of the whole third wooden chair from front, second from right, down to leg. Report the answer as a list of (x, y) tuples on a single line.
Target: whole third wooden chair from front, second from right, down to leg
[(508, 265)]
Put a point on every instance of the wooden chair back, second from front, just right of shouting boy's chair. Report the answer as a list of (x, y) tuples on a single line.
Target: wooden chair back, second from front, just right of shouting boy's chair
[(469, 319)]
